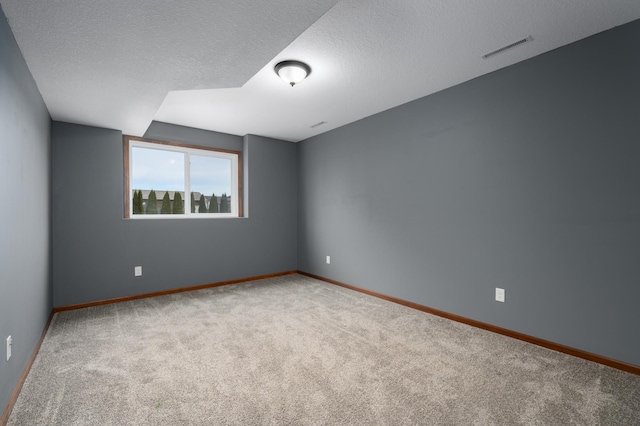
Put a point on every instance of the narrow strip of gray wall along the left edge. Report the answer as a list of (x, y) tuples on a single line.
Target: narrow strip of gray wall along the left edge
[(25, 249)]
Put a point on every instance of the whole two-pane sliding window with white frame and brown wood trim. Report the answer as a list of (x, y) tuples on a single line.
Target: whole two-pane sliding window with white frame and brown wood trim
[(170, 179)]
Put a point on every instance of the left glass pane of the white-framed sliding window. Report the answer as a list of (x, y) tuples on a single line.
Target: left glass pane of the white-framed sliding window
[(156, 177)]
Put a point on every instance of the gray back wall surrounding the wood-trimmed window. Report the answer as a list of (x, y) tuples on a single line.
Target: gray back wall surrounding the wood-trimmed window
[(96, 249)]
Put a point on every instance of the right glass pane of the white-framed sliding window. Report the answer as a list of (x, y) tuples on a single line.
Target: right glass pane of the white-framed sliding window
[(210, 182)]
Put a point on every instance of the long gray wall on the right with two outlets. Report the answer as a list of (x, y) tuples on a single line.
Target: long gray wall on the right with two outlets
[(525, 179)]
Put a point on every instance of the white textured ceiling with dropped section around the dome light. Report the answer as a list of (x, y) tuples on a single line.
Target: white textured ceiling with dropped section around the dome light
[(209, 63)]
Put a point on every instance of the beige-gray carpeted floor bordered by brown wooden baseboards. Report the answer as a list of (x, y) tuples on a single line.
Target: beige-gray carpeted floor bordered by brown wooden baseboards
[(294, 350)]
